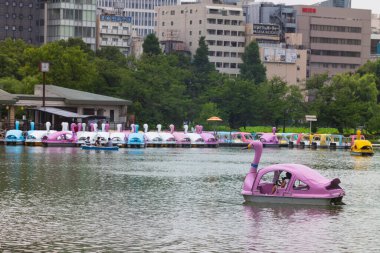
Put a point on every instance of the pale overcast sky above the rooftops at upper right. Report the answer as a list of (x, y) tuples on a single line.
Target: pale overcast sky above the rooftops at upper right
[(373, 5)]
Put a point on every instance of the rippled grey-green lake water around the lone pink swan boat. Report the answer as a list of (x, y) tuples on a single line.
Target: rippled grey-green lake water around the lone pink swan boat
[(176, 200)]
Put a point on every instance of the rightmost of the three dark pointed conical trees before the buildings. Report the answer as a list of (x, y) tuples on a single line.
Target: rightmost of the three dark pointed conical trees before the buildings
[(252, 68)]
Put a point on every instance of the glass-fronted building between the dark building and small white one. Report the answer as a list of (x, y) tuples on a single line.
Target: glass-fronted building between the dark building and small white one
[(72, 18)]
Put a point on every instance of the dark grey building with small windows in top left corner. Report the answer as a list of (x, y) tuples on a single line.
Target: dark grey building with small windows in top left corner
[(22, 19)]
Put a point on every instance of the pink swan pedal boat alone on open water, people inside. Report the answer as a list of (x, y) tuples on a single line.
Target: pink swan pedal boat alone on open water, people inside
[(289, 184)]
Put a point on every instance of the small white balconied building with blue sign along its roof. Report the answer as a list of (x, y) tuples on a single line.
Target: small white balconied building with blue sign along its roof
[(114, 30)]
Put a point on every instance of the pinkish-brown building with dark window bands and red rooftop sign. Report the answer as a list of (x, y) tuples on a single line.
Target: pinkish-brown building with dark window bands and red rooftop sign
[(338, 38)]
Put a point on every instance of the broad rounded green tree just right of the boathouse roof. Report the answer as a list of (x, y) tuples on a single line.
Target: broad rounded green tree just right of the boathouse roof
[(156, 87)]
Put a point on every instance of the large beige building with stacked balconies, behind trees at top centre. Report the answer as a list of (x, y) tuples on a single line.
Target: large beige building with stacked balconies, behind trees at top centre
[(222, 25)]
